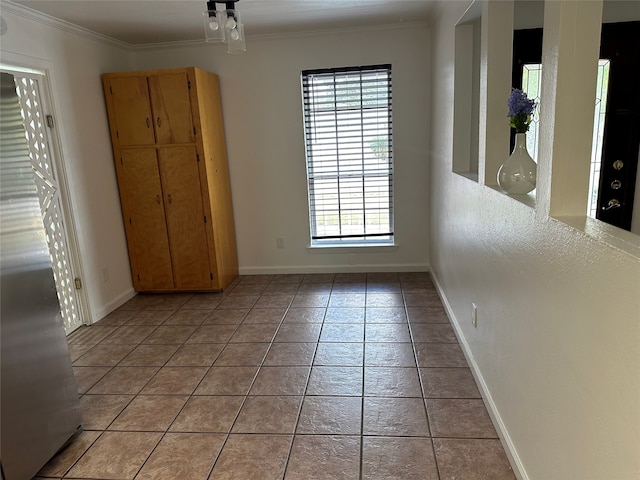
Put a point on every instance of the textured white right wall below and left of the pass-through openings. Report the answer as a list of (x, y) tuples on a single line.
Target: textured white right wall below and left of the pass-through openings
[(557, 346)]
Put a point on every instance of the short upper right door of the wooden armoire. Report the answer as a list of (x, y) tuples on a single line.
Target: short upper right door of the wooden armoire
[(171, 108)]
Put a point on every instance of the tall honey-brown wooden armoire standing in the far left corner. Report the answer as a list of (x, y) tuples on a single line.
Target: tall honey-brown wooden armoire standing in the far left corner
[(171, 162)]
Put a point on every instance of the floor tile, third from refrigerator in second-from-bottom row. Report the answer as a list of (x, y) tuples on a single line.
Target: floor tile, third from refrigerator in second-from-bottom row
[(210, 414)]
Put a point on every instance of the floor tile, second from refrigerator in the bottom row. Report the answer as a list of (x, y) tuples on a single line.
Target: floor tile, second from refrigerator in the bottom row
[(116, 455)]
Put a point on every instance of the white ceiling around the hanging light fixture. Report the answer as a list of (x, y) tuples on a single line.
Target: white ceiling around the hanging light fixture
[(140, 22)]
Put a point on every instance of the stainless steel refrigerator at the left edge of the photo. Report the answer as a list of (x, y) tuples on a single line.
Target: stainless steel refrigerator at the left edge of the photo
[(39, 405)]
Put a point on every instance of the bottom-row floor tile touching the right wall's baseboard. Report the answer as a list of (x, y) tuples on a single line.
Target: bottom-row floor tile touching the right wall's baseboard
[(471, 459)]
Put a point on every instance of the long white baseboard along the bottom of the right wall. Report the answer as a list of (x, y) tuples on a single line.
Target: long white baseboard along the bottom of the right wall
[(501, 429)]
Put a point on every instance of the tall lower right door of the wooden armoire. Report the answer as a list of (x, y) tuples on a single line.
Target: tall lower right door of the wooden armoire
[(185, 217)]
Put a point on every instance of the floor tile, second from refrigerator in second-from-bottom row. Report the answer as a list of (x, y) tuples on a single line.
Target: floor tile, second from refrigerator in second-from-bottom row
[(149, 413)]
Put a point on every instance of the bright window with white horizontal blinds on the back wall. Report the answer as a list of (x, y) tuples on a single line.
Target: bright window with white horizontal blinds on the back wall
[(349, 151)]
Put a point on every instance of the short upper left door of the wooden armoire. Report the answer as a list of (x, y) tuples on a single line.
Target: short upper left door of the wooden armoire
[(131, 109)]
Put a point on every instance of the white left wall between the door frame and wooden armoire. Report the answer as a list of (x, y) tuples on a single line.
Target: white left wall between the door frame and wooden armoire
[(74, 66)]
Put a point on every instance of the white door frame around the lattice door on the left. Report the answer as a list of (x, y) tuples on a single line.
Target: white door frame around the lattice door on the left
[(17, 64)]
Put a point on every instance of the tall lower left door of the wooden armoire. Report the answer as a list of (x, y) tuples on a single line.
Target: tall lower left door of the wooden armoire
[(146, 220)]
